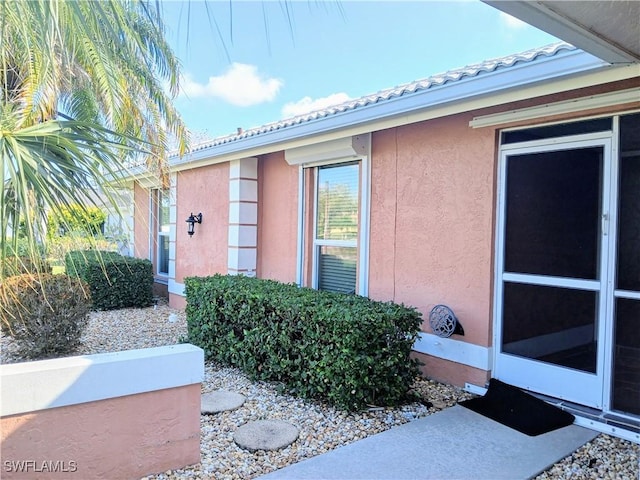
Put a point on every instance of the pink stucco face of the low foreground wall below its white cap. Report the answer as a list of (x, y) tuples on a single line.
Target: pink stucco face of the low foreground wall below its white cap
[(125, 437)]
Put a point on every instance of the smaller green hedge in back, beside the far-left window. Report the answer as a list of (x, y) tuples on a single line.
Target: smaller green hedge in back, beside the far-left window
[(115, 281)]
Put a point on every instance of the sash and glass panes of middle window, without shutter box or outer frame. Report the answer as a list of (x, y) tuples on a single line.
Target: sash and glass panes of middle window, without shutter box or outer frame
[(336, 230)]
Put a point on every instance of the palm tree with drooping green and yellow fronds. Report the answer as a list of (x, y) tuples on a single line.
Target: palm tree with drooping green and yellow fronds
[(82, 90)]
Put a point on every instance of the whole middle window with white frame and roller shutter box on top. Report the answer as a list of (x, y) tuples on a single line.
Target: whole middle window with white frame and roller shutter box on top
[(333, 214)]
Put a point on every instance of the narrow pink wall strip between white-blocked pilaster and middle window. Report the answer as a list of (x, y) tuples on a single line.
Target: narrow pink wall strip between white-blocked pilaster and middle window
[(277, 218)]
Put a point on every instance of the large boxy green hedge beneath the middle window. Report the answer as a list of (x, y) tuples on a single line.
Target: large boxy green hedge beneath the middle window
[(345, 349)]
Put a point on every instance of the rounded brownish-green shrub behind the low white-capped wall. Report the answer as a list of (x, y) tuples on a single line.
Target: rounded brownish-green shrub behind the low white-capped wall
[(45, 314)]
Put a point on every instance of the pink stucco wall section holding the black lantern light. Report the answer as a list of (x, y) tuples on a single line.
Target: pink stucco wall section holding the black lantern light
[(205, 190)]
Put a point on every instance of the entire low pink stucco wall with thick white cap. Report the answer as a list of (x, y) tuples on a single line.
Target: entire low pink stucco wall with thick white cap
[(119, 415)]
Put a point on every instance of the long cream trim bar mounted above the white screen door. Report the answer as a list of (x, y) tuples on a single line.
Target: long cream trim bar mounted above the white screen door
[(557, 108)]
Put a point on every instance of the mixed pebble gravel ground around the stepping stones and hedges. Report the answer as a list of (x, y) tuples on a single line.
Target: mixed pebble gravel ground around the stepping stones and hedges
[(322, 428)]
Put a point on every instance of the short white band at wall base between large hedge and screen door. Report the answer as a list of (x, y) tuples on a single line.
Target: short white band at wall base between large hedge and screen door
[(454, 351)]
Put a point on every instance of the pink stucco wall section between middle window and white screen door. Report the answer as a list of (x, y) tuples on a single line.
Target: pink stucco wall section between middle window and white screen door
[(432, 220)]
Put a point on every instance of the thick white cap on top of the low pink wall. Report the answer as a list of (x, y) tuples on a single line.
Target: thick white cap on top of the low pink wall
[(44, 384)]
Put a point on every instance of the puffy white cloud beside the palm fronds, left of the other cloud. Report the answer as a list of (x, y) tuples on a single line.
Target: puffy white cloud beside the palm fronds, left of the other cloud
[(241, 85)]
